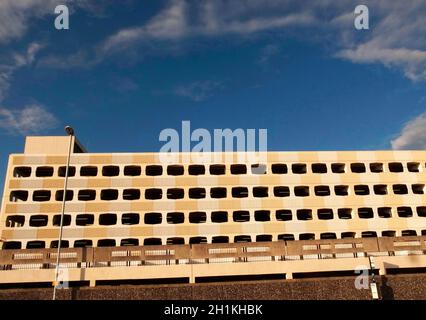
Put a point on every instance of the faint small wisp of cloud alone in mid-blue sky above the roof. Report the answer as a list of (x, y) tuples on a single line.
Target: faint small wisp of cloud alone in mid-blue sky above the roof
[(199, 90)]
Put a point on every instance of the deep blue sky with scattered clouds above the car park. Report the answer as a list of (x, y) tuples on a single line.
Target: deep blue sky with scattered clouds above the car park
[(126, 70)]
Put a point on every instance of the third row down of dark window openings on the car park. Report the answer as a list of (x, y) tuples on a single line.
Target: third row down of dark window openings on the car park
[(151, 218)]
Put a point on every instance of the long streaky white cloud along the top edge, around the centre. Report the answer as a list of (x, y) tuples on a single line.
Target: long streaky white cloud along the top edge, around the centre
[(208, 19)]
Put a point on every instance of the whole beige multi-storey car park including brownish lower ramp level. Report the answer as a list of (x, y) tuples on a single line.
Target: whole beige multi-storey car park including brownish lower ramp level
[(130, 216)]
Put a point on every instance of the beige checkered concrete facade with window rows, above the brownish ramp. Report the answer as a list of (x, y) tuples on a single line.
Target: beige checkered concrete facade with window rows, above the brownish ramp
[(134, 198)]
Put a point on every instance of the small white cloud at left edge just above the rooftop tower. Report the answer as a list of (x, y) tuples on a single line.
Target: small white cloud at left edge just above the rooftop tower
[(30, 120)]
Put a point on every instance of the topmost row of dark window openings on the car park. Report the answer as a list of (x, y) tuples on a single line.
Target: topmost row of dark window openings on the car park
[(216, 169)]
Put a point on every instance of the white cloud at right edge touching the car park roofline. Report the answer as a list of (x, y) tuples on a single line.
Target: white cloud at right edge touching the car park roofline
[(412, 135)]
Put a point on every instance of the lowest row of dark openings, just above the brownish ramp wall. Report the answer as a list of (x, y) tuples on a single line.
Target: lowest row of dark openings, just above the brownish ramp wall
[(38, 244)]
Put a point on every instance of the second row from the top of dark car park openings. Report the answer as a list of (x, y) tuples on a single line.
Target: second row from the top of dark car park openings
[(216, 193)]
